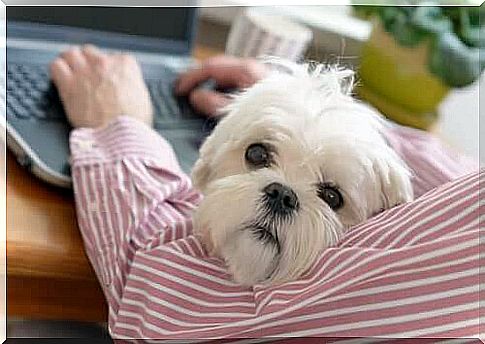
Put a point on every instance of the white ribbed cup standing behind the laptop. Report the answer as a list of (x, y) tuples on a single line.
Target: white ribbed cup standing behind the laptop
[(257, 33)]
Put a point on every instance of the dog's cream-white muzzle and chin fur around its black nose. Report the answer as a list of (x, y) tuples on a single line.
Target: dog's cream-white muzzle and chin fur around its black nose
[(258, 247)]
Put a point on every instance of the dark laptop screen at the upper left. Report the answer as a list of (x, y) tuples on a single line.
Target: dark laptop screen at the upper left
[(171, 24)]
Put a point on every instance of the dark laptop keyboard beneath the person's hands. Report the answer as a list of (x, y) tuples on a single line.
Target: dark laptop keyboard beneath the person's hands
[(31, 95)]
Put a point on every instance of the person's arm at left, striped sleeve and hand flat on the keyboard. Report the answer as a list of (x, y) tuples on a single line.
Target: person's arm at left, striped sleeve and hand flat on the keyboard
[(124, 174)]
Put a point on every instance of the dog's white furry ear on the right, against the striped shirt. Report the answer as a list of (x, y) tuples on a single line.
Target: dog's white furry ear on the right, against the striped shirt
[(395, 180)]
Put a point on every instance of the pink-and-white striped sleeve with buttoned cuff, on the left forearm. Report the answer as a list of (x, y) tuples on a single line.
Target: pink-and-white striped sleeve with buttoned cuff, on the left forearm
[(130, 195)]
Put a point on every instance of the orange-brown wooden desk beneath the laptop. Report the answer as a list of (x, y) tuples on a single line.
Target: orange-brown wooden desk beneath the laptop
[(48, 273)]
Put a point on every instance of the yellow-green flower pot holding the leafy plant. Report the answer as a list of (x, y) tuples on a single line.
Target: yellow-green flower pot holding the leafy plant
[(396, 80)]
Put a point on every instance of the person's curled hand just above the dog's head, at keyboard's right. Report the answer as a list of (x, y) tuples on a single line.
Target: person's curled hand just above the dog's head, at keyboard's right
[(227, 72)]
